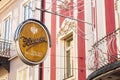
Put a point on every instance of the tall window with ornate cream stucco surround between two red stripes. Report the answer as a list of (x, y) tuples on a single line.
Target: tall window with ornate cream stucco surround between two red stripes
[(67, 41)]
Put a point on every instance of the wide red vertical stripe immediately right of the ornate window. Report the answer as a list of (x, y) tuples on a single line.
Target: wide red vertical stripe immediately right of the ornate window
[(81, 45)]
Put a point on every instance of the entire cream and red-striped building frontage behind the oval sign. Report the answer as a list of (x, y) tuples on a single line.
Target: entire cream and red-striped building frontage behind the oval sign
[(84, 35)]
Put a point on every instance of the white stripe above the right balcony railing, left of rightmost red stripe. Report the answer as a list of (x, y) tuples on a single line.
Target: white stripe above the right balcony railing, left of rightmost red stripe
[(101, 18)]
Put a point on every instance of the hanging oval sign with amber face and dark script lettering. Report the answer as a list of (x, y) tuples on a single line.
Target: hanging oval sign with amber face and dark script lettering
[(32, 41)]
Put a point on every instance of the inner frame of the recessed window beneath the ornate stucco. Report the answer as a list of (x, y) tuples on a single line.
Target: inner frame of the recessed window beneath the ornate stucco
[(68, 48)]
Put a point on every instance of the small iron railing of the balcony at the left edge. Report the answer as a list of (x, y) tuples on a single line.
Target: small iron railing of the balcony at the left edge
[(4, 49)]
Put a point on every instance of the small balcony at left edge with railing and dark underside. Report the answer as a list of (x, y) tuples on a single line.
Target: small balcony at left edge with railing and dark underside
[(4, 54)]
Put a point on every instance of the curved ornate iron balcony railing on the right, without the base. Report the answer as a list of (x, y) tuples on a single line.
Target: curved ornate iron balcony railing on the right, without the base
[(105, 51)]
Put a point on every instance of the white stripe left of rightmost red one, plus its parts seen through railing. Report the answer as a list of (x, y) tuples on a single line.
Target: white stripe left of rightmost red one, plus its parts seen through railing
[(101, 25)]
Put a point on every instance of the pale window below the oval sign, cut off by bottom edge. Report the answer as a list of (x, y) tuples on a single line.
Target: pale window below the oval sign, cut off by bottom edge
[(23, 74)]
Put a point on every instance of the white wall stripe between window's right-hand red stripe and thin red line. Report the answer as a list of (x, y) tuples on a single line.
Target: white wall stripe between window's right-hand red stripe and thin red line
[(89, 32)]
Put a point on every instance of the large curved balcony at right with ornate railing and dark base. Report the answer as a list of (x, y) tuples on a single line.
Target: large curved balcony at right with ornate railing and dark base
[(104, 58)]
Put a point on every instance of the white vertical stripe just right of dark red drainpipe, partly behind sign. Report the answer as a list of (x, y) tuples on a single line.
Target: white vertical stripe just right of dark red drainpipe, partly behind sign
[(48, 25)]
